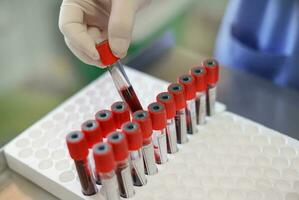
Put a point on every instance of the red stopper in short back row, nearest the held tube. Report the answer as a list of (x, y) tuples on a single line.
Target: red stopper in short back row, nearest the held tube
[(121, 113)]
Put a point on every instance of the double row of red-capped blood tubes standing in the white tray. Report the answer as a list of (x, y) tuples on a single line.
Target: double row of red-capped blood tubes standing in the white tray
[(120, 146)]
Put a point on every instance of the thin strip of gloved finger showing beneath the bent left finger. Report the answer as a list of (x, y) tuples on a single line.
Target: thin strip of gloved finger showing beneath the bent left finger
[(82, 56)]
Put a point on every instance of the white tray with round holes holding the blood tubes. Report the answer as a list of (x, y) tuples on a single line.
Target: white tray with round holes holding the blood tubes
[(230, 158)]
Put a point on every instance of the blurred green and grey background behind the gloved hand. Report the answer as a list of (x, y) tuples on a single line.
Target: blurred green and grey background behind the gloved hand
[(38, 72)]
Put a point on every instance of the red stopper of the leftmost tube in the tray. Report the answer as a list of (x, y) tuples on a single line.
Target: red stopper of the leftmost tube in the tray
[(77, 145)]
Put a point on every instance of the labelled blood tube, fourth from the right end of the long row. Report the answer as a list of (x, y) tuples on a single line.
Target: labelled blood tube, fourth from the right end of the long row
[(177, 90)]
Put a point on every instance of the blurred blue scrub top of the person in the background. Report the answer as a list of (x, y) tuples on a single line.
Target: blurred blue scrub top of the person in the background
[(261, 36)]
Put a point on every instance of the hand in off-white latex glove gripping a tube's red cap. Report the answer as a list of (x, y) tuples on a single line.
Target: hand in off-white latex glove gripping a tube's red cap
[(87, 22)]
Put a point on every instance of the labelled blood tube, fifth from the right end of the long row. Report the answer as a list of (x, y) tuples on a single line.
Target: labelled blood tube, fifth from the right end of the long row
[(167, 100)]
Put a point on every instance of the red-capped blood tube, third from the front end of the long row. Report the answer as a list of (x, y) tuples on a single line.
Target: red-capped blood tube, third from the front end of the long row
[(134, 138)]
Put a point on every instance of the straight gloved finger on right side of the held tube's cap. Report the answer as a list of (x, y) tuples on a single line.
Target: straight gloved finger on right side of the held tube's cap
[(120, 26)]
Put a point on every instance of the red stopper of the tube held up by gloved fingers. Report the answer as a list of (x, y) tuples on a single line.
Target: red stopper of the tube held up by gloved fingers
[(105, 53)]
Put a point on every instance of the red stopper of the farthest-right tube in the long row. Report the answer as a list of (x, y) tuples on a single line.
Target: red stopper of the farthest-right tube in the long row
[(212, 67)]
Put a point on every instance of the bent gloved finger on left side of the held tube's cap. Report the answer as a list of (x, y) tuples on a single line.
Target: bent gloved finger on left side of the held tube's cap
[(73, 28)]
